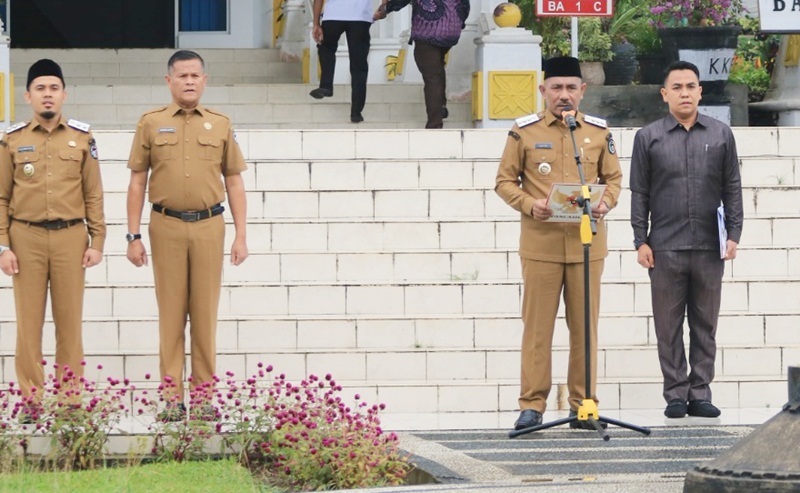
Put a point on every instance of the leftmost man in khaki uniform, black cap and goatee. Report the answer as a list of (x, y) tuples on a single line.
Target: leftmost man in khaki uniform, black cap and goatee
[(50, 193)]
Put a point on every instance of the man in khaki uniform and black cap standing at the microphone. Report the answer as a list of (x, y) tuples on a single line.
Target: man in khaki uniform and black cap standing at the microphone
[(538, 153)]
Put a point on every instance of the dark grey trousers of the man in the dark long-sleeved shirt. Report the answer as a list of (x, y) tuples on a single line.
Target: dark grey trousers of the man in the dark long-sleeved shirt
[(686, 283)]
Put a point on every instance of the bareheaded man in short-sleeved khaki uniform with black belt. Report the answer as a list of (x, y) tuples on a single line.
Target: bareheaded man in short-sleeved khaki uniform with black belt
[(187, 150)]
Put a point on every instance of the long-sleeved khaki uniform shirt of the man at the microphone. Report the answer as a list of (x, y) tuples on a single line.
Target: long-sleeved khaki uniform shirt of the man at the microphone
[(543, 138)]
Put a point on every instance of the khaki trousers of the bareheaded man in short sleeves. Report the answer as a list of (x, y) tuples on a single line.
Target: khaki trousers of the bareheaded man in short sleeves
[(187, 264)]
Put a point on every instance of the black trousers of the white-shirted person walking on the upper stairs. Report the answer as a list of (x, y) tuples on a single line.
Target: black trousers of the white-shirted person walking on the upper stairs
[(357, 33)]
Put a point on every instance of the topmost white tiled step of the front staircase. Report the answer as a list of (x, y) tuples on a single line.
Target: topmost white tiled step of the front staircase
[(377, 146)]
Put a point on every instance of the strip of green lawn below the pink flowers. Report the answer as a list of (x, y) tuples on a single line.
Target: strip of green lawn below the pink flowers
[(217, 476)]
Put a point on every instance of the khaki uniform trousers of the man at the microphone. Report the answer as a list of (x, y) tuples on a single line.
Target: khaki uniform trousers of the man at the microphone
[(543, 285)]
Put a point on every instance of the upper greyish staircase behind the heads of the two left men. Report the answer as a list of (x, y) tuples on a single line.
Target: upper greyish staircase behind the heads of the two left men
[(110, 89)]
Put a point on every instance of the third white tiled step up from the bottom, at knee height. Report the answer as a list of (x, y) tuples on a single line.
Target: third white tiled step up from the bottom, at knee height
[(375, 333)]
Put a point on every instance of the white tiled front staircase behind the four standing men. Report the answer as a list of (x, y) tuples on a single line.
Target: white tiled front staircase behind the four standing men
[(385, 258)]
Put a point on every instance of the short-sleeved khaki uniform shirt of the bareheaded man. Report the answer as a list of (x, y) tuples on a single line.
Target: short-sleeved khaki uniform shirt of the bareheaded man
[(187, 152)]
